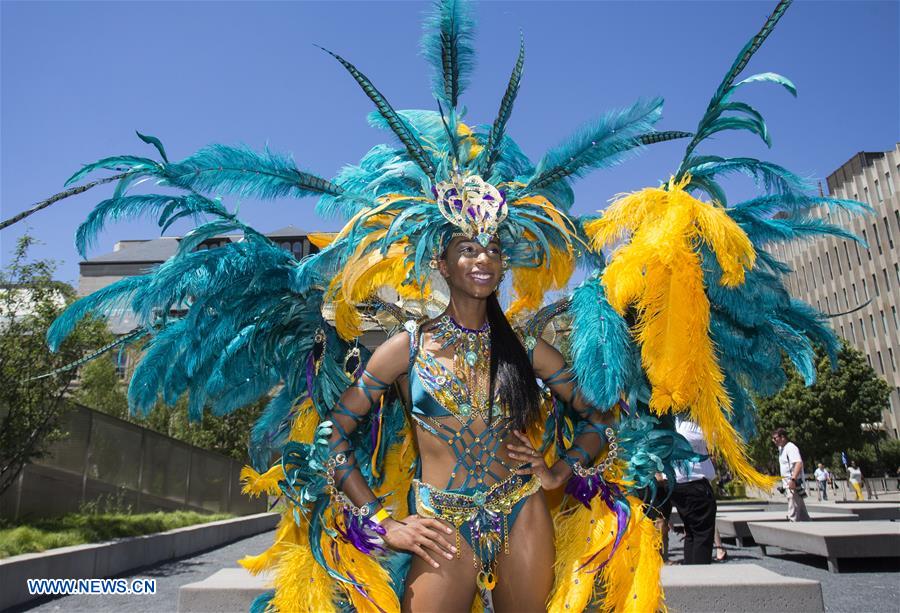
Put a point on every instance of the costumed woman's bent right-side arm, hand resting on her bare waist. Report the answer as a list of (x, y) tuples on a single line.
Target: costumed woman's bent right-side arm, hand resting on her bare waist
[(550, 366)]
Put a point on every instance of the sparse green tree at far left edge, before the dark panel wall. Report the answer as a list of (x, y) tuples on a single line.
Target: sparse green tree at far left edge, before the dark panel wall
[(30, 409)]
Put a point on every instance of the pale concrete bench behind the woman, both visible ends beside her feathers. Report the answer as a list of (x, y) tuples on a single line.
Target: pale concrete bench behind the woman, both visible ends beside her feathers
[(719, 587)]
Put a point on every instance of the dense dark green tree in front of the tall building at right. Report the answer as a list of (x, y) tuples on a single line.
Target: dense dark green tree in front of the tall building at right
[(825, 418)]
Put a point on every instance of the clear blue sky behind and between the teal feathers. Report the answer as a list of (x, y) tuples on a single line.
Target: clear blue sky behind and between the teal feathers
[(78, 78)]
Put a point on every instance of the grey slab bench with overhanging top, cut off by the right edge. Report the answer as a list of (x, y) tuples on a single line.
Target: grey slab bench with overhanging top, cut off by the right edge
[(833, 540)]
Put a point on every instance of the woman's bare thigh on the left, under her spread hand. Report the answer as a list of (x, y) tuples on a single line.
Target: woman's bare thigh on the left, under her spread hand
[(449, 588)]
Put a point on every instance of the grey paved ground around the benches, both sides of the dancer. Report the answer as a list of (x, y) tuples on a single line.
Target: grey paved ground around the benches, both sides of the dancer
[(865, 587)]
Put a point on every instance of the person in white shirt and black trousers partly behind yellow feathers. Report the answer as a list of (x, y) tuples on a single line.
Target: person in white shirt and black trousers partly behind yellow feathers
[(694, 498)]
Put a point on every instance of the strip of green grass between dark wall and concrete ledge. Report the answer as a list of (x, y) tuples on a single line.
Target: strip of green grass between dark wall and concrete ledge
[(36, 535)]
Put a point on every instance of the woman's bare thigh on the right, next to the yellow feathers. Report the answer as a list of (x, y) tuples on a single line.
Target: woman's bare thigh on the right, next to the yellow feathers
[(525, 575)]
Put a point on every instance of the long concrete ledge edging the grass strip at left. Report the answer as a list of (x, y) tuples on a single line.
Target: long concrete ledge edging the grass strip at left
[(99, 560)]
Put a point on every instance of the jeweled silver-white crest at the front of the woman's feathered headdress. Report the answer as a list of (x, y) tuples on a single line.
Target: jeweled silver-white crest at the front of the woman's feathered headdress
[(473, 205)]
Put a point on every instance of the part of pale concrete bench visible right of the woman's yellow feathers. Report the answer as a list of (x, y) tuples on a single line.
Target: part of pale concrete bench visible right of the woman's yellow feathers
[(738, 587)]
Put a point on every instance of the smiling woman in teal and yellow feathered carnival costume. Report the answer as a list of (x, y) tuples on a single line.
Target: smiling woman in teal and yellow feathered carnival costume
[(441, 444)]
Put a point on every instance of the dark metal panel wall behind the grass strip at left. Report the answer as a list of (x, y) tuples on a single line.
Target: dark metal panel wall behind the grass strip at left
[(106, 459)]
